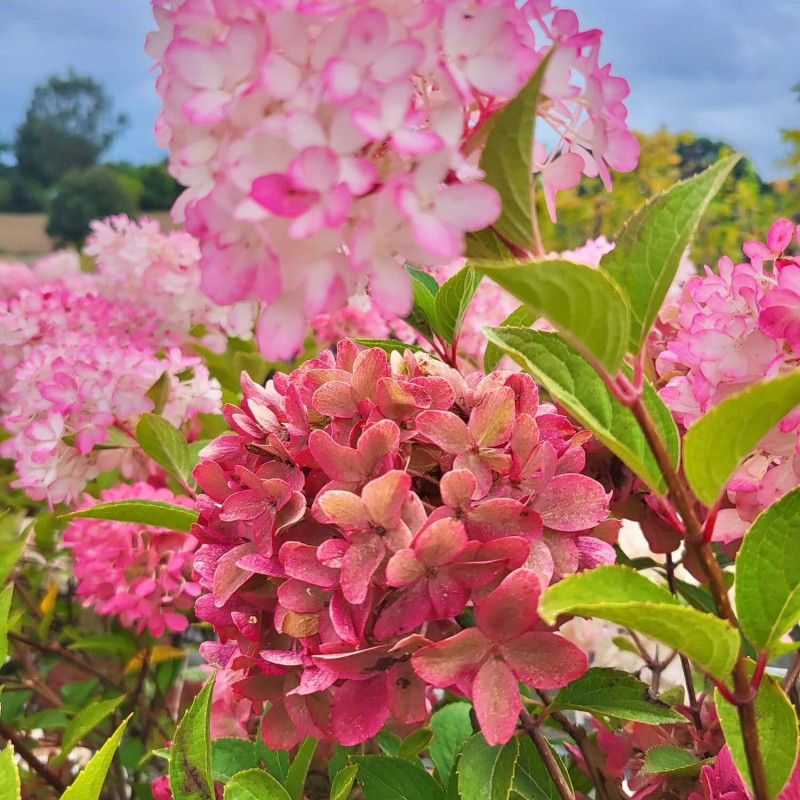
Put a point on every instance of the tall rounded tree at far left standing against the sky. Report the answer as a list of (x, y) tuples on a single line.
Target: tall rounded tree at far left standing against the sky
[(69, 123)]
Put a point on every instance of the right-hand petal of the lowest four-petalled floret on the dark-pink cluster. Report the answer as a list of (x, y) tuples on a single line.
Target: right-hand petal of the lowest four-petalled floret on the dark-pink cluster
[(544, 659)]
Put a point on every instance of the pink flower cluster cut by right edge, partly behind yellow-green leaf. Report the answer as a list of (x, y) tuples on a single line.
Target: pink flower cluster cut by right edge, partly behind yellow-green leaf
[(732, 328)]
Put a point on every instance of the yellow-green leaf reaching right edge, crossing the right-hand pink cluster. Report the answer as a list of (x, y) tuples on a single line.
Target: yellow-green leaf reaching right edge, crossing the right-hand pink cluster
[(720, 439)]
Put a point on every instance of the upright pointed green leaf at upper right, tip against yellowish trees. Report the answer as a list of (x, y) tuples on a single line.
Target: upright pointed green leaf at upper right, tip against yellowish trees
[(650, 245)]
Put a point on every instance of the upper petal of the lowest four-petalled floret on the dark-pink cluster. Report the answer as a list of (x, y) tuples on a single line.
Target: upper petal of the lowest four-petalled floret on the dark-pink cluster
[(511, 609)]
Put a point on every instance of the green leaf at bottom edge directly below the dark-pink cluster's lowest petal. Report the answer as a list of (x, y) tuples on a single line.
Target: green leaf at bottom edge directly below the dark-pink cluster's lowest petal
[(485, 772)]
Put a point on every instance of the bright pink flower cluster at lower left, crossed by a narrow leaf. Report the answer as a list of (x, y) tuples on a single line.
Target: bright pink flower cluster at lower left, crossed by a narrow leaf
[(138, 573)]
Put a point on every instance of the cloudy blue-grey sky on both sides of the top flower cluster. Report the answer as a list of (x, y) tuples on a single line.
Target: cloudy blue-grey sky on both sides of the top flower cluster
[(719, 68)]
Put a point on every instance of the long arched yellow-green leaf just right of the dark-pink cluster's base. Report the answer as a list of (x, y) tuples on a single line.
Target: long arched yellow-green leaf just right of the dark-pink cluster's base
[(619, 594)]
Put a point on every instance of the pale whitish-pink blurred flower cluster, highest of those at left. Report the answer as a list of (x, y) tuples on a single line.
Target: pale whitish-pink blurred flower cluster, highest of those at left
[(160, 274)]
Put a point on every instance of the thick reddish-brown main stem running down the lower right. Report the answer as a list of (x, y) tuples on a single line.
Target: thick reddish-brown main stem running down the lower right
[(696, 545)]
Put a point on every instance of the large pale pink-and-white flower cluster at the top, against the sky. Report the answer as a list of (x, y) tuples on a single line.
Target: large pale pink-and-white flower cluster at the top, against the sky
[(323, 144)]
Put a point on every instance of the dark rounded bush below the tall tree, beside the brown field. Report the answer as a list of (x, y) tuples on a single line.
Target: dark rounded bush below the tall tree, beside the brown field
[(80, 197)]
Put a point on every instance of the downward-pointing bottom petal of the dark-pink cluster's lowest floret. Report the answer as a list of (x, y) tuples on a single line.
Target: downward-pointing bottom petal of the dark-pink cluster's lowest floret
[(495, 695)]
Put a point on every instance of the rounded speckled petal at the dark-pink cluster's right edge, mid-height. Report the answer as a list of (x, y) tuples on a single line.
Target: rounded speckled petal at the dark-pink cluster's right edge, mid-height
[(572, 503)]
